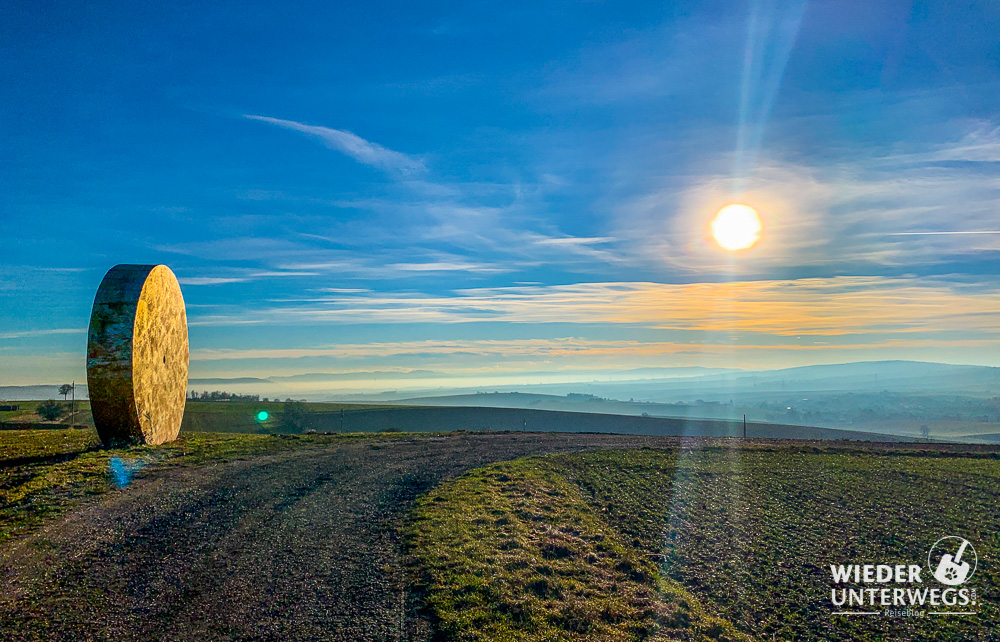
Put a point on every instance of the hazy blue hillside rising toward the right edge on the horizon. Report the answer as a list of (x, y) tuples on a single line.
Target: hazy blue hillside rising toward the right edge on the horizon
[(907, 398)]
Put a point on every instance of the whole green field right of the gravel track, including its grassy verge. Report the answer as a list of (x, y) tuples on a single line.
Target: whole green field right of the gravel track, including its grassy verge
[(710, 543)]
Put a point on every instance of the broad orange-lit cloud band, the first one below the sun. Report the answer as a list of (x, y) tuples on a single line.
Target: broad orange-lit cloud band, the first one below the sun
[(817, 307)]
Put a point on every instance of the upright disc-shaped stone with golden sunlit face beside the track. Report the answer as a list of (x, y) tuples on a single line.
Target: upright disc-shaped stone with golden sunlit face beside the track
[(137, 356)]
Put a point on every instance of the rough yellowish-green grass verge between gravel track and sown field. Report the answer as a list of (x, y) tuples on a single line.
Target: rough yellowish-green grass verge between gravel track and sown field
[(513, 551)]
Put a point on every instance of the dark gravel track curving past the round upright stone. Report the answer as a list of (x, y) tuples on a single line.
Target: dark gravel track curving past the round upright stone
[(299, 546)]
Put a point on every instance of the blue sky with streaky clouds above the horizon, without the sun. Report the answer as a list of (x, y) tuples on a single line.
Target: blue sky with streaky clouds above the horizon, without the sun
[(405, 194)]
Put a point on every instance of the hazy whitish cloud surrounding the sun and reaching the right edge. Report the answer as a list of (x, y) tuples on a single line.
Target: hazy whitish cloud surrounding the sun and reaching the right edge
[(858, 214)]
